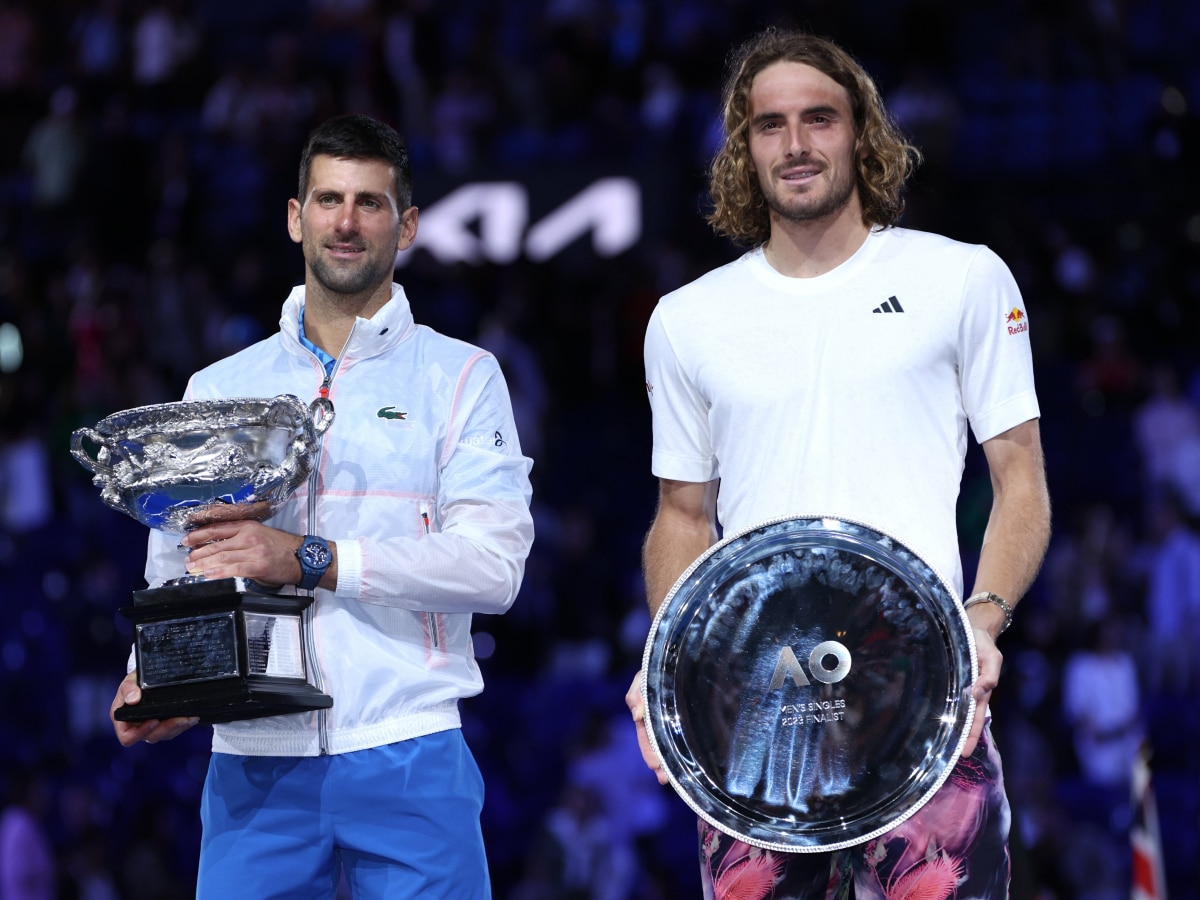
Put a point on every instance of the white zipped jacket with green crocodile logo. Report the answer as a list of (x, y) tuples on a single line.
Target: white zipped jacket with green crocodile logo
[(422, 483)]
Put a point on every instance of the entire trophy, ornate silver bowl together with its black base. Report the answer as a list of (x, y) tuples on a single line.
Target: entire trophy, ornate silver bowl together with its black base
[(230, 649)]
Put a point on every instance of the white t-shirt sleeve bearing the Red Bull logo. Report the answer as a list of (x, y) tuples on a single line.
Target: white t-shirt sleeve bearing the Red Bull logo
[(995, 357)]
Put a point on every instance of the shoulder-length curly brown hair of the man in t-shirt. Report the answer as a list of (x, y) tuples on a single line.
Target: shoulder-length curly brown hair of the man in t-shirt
[(740, 209)]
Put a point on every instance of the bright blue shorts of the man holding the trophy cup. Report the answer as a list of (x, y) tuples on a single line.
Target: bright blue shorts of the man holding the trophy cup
[(401, 820)]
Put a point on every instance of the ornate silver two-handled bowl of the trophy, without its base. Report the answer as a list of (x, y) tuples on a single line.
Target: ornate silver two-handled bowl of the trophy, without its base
[(176, 466)]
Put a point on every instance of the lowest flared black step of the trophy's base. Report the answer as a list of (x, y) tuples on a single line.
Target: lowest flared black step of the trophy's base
[(253, 699)]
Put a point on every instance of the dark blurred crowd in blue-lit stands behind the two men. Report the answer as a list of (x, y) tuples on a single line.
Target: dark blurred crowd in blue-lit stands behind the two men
[(148, 149)]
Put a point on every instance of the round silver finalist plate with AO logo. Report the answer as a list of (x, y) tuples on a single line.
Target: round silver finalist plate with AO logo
[(807, 685)]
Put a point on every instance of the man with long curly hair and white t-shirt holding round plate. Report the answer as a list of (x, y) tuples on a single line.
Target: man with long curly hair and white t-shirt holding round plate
[(836, 369)]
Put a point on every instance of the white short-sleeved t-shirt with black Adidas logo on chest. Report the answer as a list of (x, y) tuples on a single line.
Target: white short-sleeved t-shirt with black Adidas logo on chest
[(844, 395)]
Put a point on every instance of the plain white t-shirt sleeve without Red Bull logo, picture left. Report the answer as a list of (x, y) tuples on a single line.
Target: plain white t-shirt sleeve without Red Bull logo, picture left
[(683, 449)]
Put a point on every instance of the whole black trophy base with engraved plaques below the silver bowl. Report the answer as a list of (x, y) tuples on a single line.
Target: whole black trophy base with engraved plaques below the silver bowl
[(220, 651)]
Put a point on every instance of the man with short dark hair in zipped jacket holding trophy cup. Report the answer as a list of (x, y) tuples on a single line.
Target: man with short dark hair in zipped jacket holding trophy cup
[(421, 503)]
